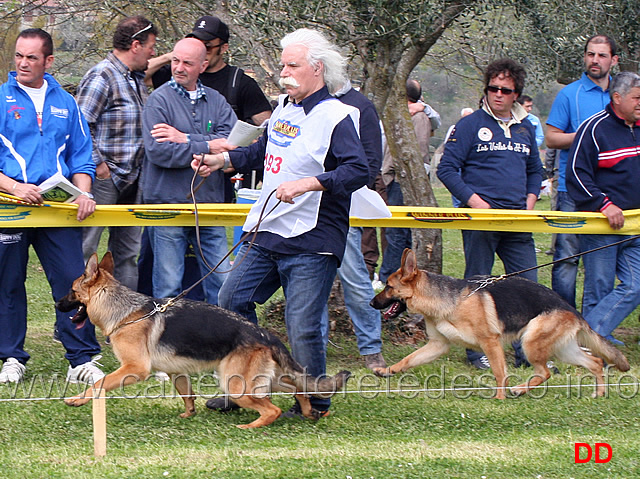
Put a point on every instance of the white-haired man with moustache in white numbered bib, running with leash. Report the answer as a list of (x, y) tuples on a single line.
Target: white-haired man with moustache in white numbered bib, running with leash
[(313, 161)]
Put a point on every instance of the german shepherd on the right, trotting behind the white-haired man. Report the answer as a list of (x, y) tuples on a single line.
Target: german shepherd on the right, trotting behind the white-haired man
[(460, 311)]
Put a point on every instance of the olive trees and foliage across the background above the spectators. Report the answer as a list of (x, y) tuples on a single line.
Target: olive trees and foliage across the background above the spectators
[(386, 40)]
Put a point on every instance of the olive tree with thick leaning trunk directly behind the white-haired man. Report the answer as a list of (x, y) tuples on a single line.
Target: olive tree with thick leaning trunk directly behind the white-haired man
[(389, 38)]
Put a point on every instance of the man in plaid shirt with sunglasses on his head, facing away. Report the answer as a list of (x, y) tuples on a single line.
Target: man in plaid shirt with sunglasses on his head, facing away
[(111, 96)]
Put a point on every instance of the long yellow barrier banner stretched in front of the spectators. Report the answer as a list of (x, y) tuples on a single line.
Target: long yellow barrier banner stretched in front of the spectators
[(14, 213)]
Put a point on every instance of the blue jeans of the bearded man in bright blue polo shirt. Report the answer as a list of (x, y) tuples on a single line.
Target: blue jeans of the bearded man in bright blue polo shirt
[(563, 274)]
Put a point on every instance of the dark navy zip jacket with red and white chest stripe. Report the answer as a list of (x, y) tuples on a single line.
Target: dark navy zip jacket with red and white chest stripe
[(604, 163)]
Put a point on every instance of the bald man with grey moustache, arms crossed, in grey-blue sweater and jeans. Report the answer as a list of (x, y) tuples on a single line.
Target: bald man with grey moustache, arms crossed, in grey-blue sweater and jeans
[(183, 118)]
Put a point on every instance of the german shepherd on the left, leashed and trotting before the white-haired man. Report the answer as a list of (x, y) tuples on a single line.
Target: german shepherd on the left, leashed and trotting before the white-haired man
[(189, 337)]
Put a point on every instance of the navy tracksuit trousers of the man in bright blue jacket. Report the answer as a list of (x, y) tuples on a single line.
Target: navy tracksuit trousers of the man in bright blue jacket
[(60, 253)]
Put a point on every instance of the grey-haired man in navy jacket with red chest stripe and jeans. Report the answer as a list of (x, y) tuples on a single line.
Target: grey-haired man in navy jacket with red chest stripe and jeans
[(602, 175)]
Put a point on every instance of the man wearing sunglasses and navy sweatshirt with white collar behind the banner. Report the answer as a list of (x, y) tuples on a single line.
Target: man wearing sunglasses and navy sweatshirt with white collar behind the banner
[(491, 160)]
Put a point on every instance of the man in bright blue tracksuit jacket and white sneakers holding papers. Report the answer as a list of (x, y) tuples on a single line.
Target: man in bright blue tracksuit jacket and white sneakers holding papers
[(42, 132)]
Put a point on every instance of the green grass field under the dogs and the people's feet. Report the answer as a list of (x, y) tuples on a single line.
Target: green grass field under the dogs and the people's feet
[(380, 428)]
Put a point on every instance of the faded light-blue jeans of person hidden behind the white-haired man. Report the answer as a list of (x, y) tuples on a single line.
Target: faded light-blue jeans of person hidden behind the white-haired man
[(358, 293)]
